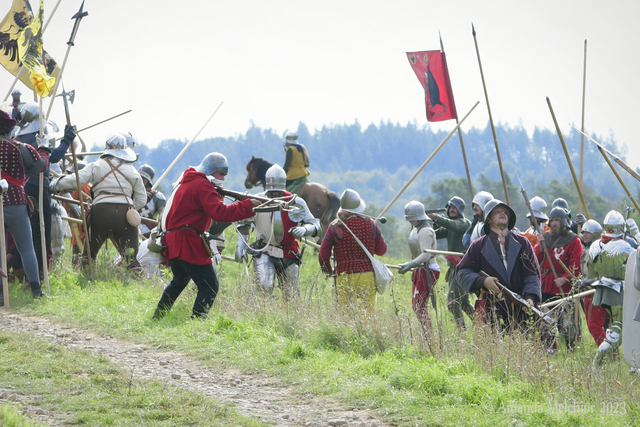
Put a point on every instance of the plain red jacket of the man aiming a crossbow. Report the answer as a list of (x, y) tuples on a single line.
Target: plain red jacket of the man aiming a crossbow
[(195, 205)]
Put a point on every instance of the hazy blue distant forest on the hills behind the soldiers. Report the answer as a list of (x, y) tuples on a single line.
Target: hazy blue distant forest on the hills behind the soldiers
[(378, 160)]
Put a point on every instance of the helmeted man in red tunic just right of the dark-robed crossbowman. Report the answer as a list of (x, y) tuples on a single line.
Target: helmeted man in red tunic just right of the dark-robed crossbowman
[(564, 247)]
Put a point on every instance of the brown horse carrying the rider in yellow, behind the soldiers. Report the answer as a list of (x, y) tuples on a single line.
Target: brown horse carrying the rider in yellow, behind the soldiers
[(323, 203)]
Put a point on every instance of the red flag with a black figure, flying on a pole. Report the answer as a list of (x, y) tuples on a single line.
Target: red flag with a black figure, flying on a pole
[(431, 68)]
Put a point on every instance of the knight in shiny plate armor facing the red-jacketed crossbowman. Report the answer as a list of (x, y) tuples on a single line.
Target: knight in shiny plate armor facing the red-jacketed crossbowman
[(276, 251)]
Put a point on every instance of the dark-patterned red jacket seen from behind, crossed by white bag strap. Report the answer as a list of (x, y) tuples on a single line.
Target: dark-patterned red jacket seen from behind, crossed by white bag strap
[(350, 258)]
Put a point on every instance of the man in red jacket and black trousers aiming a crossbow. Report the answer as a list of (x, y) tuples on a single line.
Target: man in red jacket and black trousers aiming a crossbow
[(190, 210)]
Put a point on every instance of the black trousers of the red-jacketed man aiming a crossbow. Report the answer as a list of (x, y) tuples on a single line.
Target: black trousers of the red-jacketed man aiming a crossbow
[(204, 276)]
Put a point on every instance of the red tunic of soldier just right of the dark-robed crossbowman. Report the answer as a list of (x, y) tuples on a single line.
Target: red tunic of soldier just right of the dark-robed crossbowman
[(570, 255)]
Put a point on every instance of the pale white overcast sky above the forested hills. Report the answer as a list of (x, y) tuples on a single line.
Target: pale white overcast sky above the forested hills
[(277, 63)]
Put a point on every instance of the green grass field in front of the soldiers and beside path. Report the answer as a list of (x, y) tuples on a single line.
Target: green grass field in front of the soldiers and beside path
[(471, 378)]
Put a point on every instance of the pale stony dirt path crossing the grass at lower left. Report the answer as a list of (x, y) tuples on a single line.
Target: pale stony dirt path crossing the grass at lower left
[(253, 395)]
